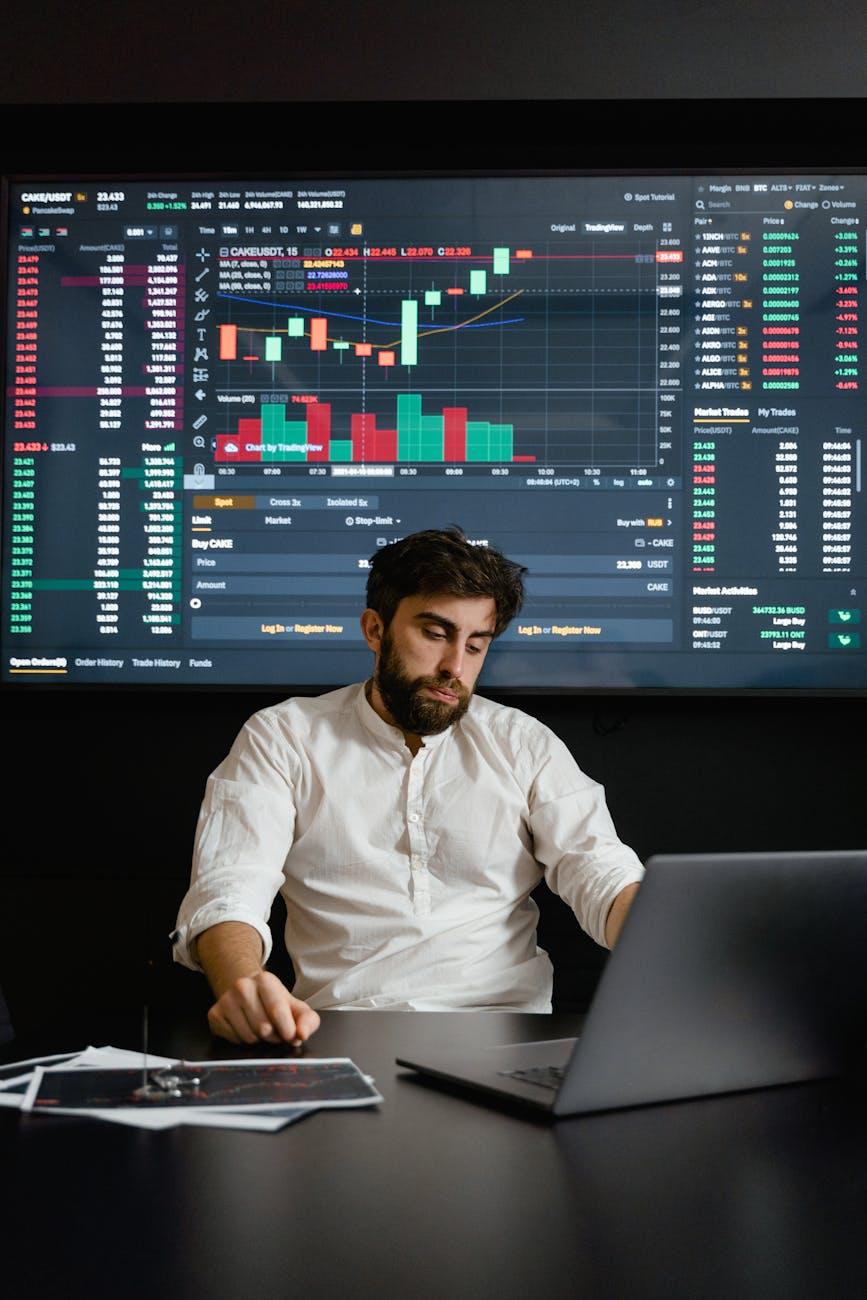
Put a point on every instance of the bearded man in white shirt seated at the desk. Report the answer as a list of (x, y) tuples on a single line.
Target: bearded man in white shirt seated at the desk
[(405, 822)]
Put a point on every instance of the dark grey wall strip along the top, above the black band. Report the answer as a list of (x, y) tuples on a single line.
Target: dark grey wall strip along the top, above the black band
[(320, 50)]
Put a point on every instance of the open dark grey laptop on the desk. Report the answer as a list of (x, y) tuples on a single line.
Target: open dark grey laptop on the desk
[(732, 972)]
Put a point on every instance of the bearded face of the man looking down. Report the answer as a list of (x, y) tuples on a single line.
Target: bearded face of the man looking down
[(430, 658)]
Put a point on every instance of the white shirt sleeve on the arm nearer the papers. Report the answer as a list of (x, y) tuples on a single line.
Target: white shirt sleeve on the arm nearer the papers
[(244, 835)]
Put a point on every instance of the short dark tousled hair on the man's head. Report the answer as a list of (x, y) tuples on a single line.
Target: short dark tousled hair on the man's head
[(441, 562)]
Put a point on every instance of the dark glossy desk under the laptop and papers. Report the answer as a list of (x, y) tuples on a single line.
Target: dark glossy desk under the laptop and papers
[(431, 1197)]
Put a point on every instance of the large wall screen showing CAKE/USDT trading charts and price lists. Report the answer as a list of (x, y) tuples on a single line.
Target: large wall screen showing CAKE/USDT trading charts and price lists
[(222, 400)]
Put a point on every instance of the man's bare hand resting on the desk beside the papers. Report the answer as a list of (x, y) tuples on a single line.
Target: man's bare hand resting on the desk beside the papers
[(259, 1008)]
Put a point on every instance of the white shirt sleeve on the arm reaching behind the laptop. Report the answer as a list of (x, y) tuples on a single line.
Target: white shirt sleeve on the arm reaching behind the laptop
[(575, 840)]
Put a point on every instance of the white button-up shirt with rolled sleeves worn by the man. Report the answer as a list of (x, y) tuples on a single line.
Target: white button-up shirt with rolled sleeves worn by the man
[(406, 879)]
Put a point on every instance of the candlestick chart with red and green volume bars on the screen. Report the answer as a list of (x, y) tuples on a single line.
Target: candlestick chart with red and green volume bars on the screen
[(465, 356)]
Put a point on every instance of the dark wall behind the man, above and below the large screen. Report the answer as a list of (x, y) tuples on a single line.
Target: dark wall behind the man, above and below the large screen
[(105, 790)]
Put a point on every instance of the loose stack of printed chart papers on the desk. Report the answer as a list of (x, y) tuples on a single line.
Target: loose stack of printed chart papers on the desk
[(155, 1093)]
